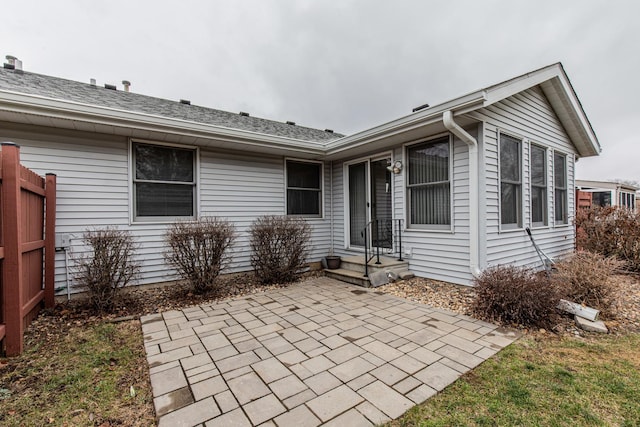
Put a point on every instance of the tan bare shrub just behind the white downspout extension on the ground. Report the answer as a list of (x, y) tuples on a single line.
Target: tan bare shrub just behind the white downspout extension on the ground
[(585, 278)]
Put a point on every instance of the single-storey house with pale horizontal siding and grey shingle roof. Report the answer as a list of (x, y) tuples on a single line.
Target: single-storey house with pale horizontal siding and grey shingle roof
[(456, 182)]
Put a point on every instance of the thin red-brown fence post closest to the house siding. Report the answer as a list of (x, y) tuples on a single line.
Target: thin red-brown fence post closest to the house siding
[(50, 240)]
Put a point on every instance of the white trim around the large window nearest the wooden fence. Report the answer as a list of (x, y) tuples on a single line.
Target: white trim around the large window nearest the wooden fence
[(131, 171)]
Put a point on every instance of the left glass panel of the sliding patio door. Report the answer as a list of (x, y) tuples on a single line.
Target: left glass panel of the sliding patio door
[(357, 202)]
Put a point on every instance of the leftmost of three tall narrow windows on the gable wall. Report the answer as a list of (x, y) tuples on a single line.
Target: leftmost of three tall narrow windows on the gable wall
[(510, 182)]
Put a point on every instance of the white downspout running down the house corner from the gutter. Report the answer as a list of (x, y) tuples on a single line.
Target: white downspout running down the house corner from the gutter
[(474, 228)]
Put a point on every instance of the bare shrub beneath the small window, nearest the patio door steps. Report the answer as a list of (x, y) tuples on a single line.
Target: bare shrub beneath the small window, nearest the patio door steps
[(279, 246)]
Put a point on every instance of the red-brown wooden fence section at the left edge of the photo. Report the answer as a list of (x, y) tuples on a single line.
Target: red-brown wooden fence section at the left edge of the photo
[(27, 246)]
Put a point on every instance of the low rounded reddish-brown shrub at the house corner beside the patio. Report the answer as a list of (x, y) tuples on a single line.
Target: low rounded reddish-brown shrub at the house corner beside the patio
[(516, 295)]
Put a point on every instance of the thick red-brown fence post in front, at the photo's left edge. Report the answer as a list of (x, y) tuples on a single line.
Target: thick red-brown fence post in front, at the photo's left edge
[(12, 266)]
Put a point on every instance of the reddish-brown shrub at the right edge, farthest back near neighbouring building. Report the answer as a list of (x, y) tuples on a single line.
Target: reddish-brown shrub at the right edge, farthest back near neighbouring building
[(610, 231)]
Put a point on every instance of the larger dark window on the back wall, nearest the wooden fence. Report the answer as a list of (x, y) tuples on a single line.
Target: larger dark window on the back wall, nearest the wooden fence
[(163, 181)]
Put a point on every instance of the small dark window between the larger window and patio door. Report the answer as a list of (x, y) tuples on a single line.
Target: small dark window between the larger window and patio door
[(304, 188)]
